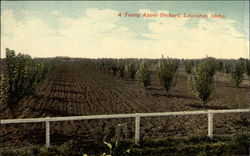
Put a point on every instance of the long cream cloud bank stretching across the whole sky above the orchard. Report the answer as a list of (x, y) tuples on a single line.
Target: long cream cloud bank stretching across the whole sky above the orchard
[(100, 33)]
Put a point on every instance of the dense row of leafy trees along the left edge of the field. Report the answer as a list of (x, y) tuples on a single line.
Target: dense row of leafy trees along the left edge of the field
[(21, 76)]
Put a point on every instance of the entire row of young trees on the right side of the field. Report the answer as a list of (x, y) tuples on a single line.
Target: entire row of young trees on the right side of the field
[(201, 73)]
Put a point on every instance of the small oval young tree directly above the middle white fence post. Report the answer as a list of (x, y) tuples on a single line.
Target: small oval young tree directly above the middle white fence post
[(144, 75)]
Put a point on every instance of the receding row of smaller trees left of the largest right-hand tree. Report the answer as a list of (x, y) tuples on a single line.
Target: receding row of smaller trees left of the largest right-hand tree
[(140, 70)]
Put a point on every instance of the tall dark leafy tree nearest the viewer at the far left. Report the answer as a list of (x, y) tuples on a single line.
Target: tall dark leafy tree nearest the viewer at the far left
[(14, 83)]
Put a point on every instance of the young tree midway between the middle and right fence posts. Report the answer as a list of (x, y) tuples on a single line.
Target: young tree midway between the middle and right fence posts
[(166, 73)]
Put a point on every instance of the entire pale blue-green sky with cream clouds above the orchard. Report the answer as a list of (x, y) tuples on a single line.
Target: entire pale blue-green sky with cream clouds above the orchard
[(95, 30)]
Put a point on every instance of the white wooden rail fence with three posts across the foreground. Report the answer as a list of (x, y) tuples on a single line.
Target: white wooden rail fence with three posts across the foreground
[(137, 117)]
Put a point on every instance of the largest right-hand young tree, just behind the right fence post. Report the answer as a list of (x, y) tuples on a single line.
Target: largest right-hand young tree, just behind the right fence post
[(200, 82)]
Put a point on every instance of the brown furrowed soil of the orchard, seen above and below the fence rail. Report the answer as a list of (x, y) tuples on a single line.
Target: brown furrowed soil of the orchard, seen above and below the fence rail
[(75, 89)]
